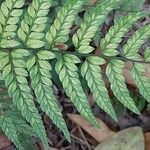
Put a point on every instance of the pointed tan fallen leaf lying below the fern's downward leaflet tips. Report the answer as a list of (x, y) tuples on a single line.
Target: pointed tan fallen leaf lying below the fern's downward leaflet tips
[(98, 134)]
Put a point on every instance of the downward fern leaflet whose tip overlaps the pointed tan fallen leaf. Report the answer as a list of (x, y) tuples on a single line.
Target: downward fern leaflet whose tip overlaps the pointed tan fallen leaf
[(68, 74)]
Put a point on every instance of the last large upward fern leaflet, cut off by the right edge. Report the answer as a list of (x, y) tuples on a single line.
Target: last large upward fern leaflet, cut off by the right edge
[(130, 50)]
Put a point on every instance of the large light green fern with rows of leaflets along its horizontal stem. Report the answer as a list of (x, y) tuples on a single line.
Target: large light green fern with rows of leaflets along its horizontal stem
[(28, 45)]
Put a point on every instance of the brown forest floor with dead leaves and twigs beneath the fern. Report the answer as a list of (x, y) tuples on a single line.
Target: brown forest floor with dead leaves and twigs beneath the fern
[(83, 135)]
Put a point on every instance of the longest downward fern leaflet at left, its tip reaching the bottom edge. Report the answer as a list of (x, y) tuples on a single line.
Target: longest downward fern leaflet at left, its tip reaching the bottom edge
[(18, 88)]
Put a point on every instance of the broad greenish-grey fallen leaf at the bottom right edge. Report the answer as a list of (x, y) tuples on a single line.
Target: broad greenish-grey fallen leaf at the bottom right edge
[(128, 139)]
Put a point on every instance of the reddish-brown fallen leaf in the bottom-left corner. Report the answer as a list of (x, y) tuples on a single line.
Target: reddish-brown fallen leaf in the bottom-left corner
[(4, 142)]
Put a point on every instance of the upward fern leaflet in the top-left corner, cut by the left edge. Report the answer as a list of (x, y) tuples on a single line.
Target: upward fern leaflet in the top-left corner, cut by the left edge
[(10, 13)]
